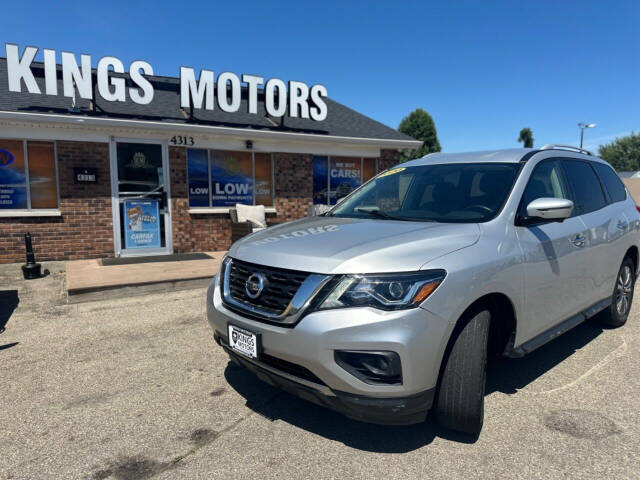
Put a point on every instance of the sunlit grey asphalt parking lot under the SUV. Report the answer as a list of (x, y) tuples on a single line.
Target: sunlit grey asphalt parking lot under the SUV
[(136, 389)]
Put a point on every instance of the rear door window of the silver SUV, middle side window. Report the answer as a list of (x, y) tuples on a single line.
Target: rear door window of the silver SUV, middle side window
[(587, 191)]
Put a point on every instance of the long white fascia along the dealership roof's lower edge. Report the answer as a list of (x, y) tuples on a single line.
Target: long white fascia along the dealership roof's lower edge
[(181, 128)]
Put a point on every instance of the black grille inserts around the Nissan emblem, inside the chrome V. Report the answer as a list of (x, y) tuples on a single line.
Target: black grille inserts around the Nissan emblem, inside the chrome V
[(280, 287)]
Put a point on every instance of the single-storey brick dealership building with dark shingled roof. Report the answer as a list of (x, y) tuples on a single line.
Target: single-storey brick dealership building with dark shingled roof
[(78, 174)]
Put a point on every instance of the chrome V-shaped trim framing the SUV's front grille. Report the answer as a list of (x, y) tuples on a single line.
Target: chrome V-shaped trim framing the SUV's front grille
[(299, 303)]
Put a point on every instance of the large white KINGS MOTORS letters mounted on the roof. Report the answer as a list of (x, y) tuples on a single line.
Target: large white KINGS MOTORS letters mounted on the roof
[(204, 92)]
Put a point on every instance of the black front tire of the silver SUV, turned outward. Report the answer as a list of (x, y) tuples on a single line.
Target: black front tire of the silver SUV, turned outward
[(460, 397)]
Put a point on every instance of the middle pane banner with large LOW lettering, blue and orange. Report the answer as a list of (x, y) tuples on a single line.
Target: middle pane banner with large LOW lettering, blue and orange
[(231, 178)]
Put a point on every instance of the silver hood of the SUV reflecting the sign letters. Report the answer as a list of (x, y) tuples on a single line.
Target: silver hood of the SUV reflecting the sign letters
[(332, 245)]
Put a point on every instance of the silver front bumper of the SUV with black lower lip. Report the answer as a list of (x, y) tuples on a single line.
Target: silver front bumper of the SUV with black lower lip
[(418, 337)]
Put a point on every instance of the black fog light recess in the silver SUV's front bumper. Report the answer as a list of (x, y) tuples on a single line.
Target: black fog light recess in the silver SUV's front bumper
[(373, 367)]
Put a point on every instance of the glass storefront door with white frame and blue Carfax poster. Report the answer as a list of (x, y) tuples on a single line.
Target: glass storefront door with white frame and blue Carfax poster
[(140, 197)]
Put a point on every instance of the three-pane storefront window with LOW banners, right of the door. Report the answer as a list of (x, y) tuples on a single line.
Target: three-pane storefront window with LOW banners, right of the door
[(222, 178)]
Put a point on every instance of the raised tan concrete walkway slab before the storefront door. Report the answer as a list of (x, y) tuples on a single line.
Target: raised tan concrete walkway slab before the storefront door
[(90, 279)]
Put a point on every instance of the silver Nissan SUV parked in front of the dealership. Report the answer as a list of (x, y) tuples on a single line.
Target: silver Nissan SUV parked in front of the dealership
[(388, 306)]
